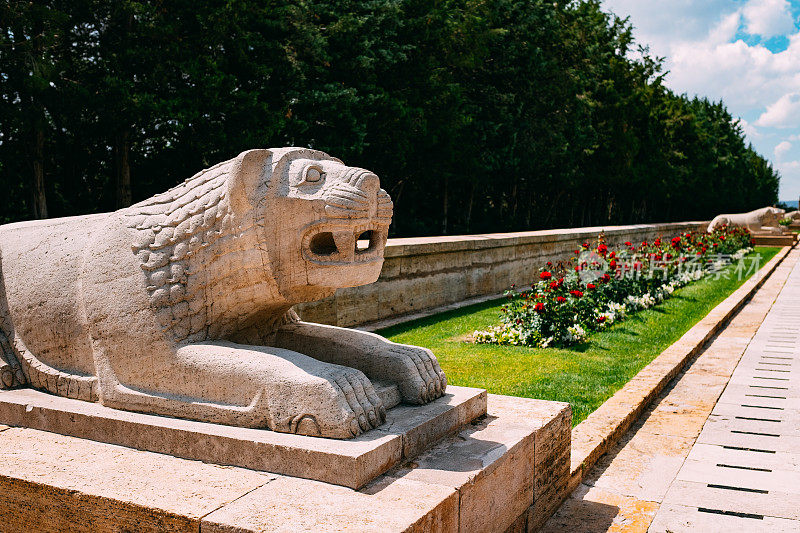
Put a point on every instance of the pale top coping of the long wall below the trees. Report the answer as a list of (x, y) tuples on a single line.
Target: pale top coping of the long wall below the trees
[(410, 246)]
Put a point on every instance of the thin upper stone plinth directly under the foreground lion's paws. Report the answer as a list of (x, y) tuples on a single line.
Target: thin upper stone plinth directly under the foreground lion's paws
[(352, 463)]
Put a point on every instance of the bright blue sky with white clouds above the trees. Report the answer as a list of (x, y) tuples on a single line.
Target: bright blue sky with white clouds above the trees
[(744, 52)]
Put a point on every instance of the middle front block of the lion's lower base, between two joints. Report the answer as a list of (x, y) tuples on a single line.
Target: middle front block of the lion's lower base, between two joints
[(291, 505)]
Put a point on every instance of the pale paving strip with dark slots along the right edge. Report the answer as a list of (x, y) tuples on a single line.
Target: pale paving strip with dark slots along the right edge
[(743, 475)]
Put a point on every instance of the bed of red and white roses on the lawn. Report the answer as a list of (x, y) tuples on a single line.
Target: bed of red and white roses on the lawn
[(600, 286)]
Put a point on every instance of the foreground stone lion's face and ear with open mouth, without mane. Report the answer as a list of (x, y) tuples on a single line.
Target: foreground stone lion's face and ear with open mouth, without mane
[(323, 222)]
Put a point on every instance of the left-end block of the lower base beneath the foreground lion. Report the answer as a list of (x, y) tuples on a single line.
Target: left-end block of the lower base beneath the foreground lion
[(55, 483)]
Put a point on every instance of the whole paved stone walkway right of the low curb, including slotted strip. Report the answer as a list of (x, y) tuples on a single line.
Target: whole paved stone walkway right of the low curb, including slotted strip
[(720, 449)]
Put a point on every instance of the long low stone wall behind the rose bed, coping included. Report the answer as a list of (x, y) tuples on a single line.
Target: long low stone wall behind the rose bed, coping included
[(430, 272)]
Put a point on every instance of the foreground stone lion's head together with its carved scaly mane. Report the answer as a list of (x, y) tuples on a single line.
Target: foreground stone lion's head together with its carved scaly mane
[(249, 237)]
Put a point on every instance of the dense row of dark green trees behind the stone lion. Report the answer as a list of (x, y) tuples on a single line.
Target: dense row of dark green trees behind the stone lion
[(478, 115)]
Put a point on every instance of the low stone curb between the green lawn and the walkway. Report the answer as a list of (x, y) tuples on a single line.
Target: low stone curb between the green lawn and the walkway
[(602, 429)]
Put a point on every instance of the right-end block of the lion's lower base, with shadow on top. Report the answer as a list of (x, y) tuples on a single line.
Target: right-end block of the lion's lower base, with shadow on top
[(501, 465)]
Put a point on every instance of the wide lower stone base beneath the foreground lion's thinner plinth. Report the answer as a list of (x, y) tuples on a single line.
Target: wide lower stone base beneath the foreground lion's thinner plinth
[(495, 475)]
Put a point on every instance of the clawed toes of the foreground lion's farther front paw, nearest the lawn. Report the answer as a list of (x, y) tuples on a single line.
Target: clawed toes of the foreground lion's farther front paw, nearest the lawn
[(421, 379)]
